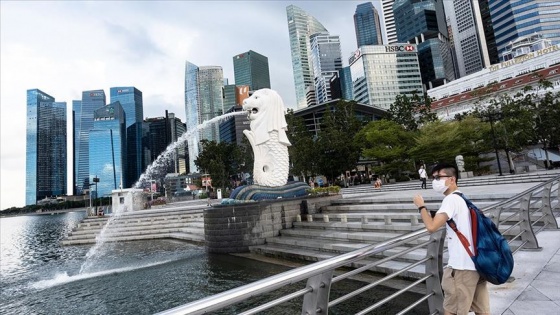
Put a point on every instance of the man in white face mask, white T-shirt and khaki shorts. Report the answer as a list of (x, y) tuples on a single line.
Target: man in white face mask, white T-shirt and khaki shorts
[(464, 289)]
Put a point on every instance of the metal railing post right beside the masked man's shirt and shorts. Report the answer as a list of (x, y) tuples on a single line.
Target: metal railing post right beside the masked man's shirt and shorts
[(434, 267)]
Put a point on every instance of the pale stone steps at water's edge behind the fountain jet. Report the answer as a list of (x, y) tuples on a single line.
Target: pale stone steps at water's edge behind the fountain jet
[(172, 223)]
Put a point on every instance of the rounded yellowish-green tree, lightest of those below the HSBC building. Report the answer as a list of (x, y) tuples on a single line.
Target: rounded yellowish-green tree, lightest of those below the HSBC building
[(389, 143)]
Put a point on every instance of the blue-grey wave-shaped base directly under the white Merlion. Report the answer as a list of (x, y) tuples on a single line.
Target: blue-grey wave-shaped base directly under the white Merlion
[(257, 192)]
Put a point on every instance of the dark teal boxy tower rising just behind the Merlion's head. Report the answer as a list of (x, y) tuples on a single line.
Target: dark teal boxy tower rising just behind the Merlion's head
[(251, 68)]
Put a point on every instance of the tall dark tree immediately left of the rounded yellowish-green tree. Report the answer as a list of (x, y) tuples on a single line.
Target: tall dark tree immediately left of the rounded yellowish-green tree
[(336, 151)]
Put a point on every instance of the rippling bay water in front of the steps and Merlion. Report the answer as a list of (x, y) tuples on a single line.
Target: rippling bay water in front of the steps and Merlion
[(39, 276)]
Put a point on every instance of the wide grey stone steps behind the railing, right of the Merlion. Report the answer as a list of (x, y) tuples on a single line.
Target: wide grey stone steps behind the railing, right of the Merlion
[(370, 217)]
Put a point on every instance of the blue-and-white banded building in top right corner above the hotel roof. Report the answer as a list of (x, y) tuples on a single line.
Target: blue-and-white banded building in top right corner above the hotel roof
[(514, 19)]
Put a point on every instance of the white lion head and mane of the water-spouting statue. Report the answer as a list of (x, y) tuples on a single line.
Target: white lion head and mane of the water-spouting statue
[(266, 112)]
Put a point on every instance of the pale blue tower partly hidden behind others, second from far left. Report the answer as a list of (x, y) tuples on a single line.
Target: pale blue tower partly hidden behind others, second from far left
[(83, 123)]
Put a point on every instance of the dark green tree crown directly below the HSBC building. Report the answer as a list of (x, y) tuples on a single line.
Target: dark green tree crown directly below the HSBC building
[(411, 112)]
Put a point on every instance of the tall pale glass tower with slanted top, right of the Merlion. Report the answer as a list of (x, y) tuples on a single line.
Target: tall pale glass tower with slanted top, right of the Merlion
[(301, 26)]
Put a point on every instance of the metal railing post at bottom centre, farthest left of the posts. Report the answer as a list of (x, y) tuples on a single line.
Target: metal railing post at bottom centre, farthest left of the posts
[(317, 301)]
